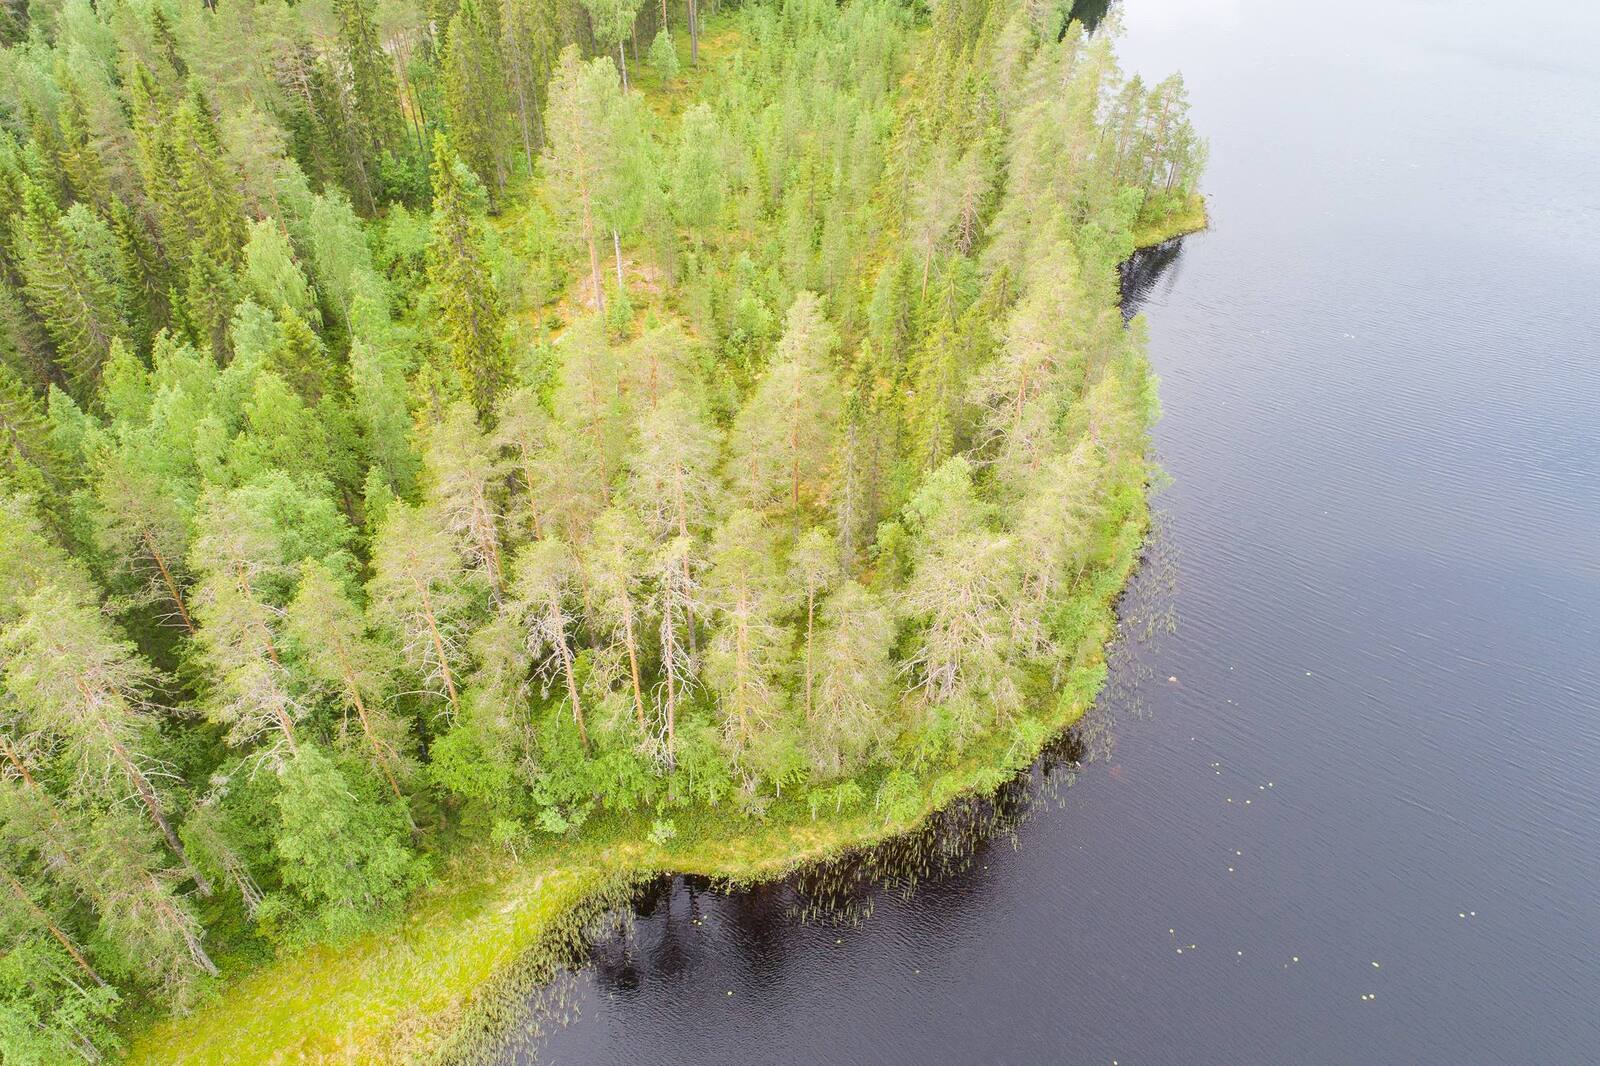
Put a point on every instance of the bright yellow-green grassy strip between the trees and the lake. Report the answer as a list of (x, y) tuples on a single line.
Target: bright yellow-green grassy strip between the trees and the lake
[(433, 988)]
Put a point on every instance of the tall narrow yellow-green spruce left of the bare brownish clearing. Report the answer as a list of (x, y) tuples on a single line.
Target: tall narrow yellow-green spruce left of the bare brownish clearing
[(473, 323)]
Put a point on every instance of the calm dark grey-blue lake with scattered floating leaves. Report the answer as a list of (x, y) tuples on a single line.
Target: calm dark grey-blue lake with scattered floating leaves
[(1375, 734)]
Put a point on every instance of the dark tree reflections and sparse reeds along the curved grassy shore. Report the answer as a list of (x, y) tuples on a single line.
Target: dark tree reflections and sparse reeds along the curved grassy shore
[(754, 934)]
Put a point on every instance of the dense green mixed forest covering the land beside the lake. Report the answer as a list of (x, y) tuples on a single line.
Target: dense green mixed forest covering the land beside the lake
[(450, 425)]
